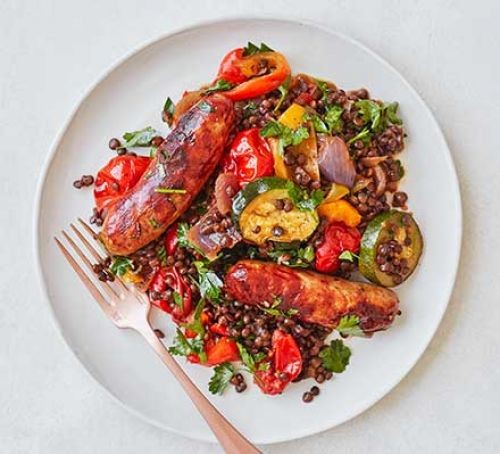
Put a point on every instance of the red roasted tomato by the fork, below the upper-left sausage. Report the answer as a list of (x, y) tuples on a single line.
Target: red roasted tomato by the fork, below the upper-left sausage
[(169, 277)]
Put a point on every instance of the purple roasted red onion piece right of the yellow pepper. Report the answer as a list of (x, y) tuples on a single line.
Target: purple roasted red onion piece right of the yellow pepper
[(334, 161)]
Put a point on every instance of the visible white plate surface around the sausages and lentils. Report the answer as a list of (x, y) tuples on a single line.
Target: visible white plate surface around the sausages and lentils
[(131, 96)]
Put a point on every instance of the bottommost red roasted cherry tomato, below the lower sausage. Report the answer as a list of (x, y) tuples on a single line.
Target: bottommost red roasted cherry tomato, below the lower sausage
[(286, 366)]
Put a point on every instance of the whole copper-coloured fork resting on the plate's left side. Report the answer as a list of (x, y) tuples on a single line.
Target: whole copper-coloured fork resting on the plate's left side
[(126, 307)]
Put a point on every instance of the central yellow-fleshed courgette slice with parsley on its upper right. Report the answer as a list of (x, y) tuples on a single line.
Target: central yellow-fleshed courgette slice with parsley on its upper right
[(259, 219)]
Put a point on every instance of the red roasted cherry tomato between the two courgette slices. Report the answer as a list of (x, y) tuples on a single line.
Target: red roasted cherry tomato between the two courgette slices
[(337, 239)]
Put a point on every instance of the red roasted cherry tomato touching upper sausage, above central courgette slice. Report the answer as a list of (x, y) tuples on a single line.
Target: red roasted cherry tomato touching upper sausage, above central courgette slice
[(249, 157)]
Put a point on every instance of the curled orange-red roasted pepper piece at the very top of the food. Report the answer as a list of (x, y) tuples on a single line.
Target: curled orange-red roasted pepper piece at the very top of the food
[(255, 75)]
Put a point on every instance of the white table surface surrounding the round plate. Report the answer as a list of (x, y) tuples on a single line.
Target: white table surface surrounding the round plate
[(449, 50)]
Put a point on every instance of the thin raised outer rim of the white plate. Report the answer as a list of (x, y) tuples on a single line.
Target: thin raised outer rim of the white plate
[(288, 18)]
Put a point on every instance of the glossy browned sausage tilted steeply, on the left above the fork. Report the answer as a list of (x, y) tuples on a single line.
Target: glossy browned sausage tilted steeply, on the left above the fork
[(184, 161)]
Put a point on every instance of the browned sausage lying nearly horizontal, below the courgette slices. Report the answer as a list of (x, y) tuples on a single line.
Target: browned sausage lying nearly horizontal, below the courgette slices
[(318, 298)]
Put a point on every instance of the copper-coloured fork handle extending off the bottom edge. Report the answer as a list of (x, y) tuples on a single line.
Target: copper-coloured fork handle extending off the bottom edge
[(230, 439)]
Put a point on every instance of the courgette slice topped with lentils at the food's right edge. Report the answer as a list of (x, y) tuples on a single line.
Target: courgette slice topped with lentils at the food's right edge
[(399, 233)]
